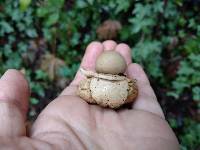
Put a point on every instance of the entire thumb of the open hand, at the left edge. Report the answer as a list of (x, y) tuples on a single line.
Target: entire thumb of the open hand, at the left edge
[(14, 94)]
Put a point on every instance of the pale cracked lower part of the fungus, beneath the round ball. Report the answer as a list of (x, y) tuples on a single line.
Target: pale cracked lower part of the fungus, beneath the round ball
[(107, 90)]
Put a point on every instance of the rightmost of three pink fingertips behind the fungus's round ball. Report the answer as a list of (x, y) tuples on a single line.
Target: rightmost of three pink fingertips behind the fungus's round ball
[(125, 51)]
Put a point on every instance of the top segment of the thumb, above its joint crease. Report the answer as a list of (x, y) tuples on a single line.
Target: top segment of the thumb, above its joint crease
[(14, 89)]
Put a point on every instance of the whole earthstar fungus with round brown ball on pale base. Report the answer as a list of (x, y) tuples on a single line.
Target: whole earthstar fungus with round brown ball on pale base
[(106, 87)]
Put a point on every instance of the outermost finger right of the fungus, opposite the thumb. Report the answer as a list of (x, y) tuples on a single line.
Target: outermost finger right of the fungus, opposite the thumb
[(146, 99)]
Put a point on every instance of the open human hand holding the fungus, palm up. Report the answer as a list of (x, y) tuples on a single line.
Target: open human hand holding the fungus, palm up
[(69, 122)]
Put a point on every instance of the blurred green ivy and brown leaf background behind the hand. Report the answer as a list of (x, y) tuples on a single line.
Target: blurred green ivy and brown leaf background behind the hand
[(46, 39)]
